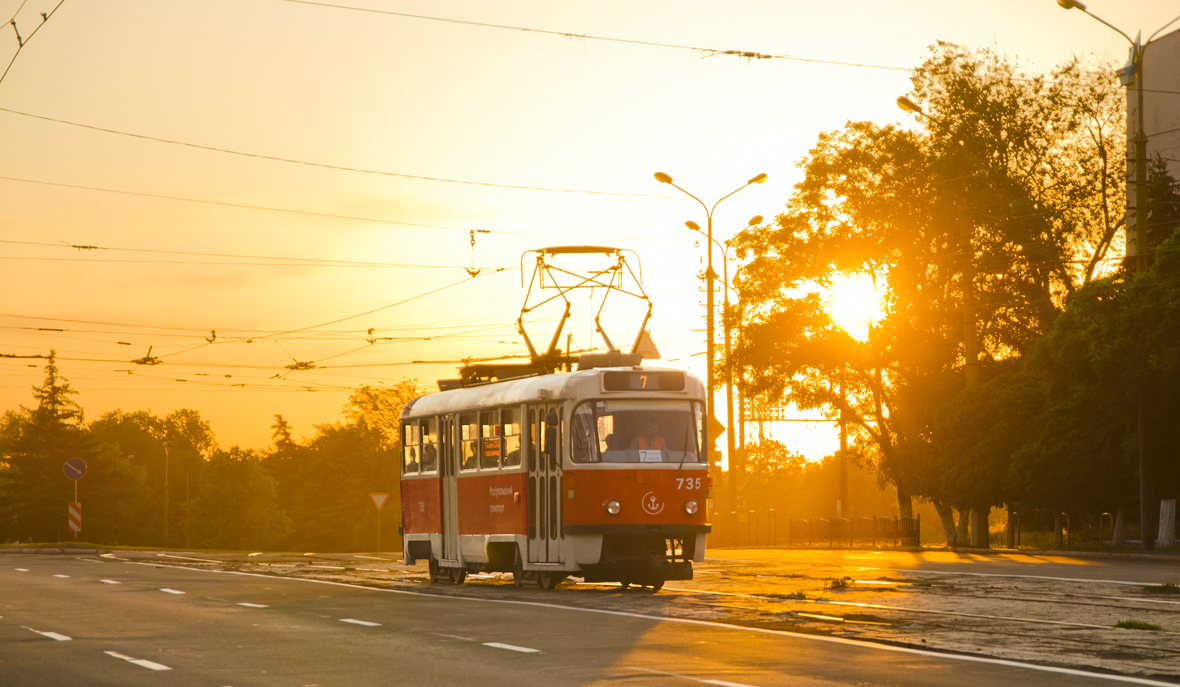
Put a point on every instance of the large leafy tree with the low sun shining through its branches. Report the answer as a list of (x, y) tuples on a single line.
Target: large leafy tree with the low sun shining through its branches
[(975, 231)]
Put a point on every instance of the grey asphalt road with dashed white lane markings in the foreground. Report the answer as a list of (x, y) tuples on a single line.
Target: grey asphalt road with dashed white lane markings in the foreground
[(80, 620)]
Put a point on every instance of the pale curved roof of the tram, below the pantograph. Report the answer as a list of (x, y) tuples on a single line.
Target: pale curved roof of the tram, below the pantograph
[(546, 388)]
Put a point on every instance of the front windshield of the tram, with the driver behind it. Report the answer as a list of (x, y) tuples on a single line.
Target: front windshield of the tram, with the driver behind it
[(637, 431)]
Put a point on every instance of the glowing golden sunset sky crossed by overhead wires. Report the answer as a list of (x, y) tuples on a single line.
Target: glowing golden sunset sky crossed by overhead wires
[(409, 96)]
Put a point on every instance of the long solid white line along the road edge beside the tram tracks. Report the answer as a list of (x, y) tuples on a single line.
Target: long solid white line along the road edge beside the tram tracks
[(798, 637)]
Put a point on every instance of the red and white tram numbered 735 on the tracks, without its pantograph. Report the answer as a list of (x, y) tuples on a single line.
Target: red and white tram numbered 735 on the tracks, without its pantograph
[(598, 474)]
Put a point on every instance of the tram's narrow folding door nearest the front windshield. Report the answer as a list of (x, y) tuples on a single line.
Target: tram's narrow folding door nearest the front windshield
[(546, 483)]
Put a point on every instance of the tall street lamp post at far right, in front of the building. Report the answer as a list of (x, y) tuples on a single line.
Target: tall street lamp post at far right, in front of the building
[(1135, 71)]
